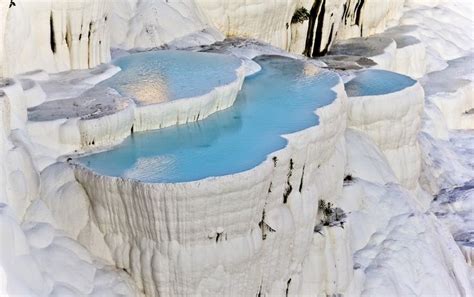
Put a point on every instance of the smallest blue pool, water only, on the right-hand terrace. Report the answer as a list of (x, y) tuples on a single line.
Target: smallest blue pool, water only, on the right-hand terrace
[(377, 82)]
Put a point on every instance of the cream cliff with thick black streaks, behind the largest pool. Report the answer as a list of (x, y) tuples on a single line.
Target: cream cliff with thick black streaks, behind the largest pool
[(328, 20)]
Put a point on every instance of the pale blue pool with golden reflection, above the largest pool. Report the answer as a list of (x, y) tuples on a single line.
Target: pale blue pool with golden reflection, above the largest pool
[(159, 76)]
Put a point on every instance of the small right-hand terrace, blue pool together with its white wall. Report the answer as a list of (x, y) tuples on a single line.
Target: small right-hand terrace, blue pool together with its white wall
[(391, 119)]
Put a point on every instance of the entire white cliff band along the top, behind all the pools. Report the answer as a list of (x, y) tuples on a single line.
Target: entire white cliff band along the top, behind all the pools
[(58, 35)]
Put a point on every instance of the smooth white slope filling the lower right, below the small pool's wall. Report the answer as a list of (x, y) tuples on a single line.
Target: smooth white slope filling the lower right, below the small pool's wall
[(398, 248)]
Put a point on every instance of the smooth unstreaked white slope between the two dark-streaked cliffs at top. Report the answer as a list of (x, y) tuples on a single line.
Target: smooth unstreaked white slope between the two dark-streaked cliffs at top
[(154, 23)]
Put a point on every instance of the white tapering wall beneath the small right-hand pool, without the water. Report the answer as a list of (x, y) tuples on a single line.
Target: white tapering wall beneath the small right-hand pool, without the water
[(393, 122)]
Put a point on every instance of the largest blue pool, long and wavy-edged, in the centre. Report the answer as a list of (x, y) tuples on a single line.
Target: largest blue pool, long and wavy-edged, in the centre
[(280, 99)]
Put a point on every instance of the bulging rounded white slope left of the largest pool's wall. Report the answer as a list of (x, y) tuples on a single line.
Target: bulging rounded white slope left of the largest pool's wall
[(36, 256)]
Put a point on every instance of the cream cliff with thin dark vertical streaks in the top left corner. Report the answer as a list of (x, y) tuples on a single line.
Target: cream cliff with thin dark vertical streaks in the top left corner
[(54, 35)]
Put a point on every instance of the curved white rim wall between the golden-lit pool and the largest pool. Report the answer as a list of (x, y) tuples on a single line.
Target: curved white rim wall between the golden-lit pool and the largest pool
[(76, 135)]
